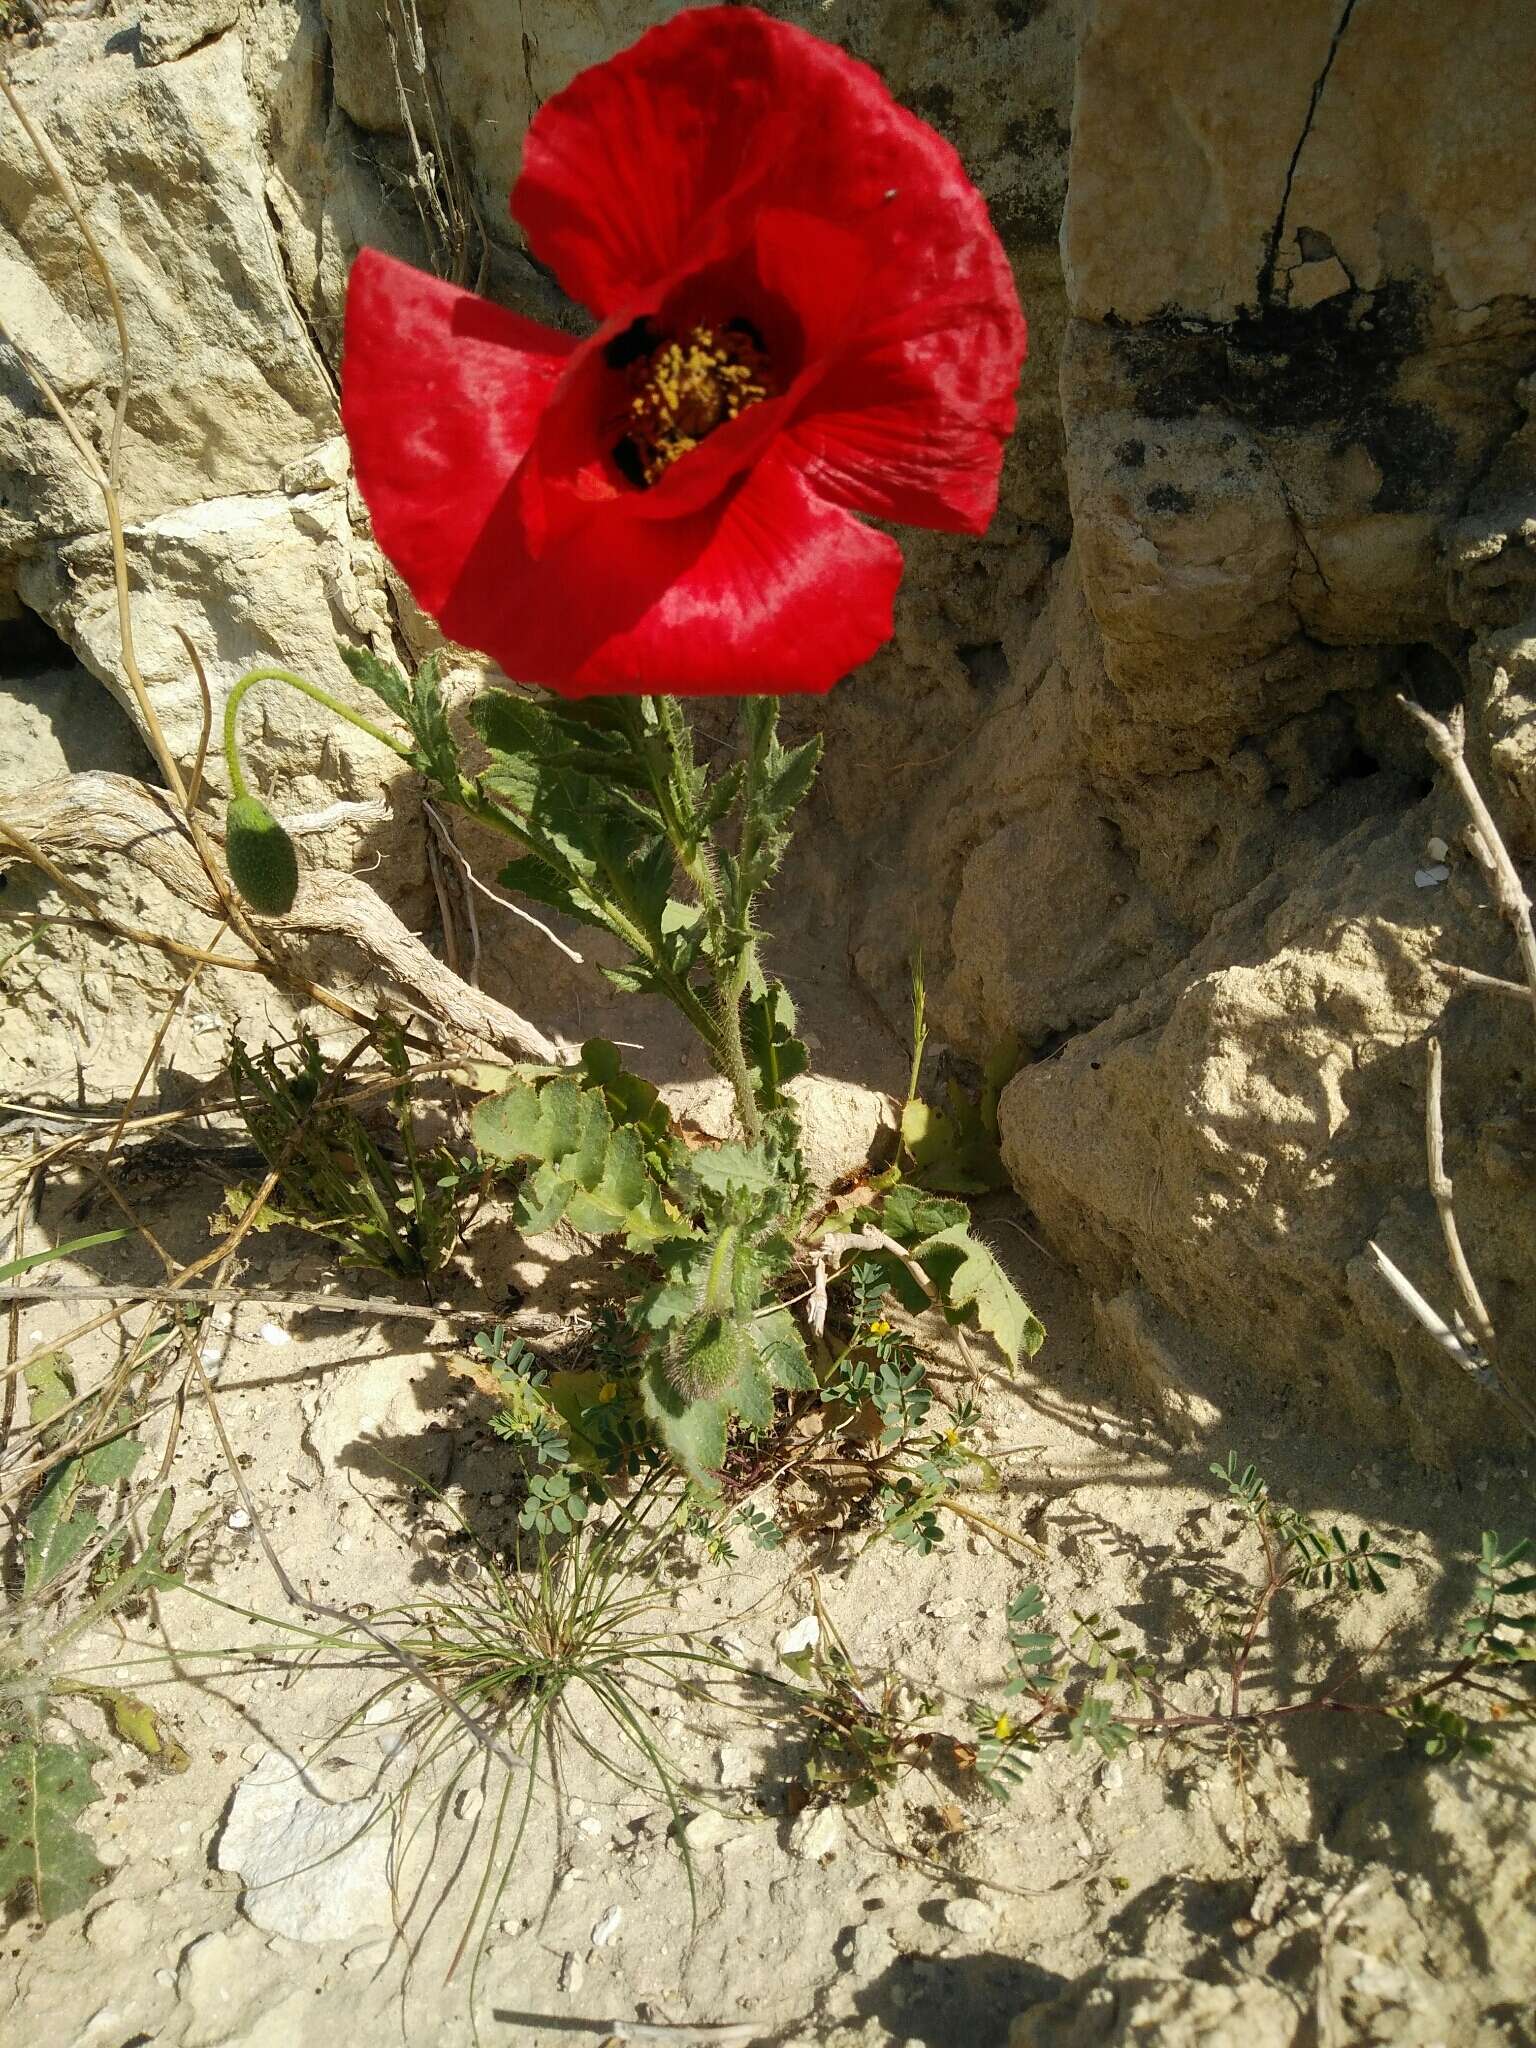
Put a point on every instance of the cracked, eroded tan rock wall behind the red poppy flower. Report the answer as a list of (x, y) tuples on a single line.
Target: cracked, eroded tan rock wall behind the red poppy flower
[(1134, 767)]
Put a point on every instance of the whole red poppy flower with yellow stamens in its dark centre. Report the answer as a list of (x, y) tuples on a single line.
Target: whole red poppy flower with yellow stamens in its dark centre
[(804, 314)]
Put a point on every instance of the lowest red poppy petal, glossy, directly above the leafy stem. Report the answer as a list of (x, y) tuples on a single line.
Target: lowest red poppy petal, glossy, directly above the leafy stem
[(769, 591)]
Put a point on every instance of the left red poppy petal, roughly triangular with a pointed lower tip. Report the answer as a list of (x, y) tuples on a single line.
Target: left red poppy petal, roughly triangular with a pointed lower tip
[(441, 398)]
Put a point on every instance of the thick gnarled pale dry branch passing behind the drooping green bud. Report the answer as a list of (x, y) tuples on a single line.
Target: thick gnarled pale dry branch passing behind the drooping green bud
[(108, 814)]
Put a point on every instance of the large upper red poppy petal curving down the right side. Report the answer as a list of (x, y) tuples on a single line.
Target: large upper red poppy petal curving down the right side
[(712, 134)]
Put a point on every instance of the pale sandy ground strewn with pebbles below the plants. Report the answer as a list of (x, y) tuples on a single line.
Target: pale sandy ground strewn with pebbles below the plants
[(1324, 1889)]
